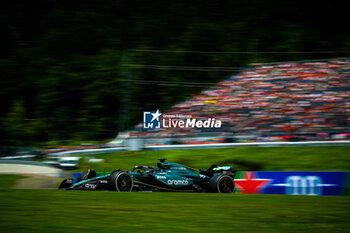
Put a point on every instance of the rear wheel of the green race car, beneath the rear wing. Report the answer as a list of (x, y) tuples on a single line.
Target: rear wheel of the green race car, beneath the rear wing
[(221, 184)]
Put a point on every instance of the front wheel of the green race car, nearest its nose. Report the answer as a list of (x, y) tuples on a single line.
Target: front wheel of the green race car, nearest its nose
[(121, 181)]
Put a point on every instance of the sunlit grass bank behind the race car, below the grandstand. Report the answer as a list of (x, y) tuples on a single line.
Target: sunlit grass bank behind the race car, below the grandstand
[(322, 158)]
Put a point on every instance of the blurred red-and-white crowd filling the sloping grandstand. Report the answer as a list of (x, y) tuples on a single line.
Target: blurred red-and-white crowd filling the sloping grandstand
[(287, 101)]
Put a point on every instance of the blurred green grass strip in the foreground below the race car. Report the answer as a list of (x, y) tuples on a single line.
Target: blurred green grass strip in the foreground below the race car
[(87, 211)]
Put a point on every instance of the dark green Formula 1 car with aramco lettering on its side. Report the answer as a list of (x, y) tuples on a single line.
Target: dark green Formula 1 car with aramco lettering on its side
[(165, 177)]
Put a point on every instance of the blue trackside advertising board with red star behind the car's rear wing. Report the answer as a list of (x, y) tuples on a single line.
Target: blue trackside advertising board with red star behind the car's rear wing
[(291, 183)]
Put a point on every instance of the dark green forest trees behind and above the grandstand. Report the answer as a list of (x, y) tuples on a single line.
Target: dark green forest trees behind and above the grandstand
[(63, 73)]
